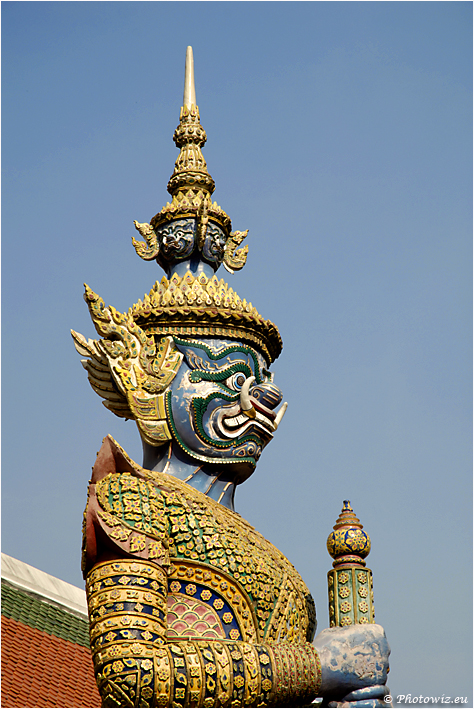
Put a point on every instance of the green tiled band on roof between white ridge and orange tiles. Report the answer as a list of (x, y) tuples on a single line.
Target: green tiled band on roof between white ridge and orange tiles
[(36, 613)]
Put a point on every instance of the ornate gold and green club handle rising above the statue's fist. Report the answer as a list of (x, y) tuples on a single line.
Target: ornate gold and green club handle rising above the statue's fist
[(350, 586)]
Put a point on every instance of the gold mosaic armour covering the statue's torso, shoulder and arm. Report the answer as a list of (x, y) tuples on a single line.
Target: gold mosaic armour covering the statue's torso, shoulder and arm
[(189, 605)]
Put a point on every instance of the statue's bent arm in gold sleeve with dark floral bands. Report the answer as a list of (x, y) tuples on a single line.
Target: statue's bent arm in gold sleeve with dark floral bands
[(140, 668)]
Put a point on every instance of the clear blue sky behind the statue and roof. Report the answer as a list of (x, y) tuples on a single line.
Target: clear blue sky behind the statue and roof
[(340, 135)]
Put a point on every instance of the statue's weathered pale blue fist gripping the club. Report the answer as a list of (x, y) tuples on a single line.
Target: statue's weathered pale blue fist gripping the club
[(354, 664)]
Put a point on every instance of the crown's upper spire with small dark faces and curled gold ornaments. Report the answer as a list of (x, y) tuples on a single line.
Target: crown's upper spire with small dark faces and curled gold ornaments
[(191, 187)]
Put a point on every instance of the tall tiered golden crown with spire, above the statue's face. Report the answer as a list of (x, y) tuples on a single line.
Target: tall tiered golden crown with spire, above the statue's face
[(194, 303)]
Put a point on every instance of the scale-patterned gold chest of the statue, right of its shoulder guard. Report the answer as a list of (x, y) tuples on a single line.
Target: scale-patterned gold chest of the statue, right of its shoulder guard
[(203, 532)]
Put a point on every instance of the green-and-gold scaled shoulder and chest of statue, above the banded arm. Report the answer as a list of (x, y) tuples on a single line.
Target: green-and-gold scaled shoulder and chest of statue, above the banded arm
[(190, 530)]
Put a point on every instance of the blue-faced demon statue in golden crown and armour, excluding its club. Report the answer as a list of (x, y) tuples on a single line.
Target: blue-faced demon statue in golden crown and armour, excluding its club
[(189, 605)]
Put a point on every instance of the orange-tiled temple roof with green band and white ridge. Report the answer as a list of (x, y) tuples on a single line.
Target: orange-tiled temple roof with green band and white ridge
[(46, 660)]
